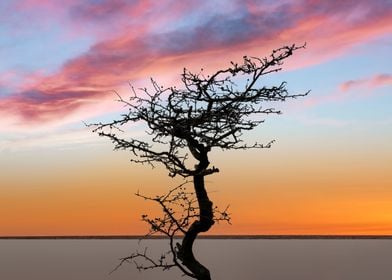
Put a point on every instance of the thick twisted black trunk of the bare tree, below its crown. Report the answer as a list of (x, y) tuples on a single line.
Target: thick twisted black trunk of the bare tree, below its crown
[(204, 223)]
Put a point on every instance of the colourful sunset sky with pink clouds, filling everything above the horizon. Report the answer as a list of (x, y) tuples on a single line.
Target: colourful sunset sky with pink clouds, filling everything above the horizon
[(329, 171)]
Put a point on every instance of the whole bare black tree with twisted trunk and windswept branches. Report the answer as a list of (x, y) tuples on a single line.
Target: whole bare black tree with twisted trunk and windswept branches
[(184, 125)]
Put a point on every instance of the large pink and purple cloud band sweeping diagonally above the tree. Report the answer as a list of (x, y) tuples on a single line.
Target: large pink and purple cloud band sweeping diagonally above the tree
[(141, 52)]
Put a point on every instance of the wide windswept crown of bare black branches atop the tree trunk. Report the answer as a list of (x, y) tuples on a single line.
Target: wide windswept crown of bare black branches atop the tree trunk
[(209, 111)]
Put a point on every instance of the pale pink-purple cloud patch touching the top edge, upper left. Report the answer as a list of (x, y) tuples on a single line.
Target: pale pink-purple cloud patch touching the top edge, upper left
[(102, 19)]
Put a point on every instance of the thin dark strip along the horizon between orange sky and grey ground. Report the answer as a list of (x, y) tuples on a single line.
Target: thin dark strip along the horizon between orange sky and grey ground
[(230, 236)]
